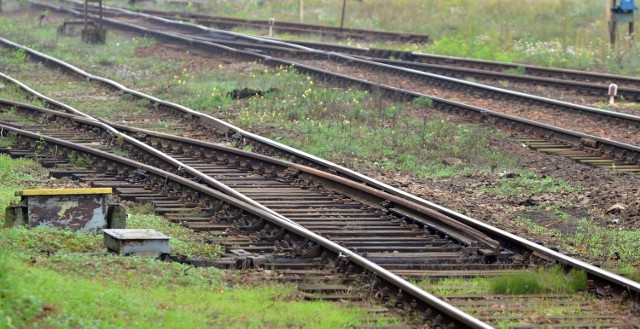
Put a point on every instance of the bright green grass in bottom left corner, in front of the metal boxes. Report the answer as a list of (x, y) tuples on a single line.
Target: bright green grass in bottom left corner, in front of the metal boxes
[(132, 292)]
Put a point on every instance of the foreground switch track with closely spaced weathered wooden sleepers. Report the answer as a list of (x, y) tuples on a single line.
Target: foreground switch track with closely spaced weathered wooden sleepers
[(322, 206)]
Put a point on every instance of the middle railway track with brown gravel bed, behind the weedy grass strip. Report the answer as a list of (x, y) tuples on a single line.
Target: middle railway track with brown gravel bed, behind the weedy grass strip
[(611, 144)]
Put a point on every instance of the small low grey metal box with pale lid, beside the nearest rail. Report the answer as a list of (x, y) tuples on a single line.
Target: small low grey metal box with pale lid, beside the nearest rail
[(137, 242)]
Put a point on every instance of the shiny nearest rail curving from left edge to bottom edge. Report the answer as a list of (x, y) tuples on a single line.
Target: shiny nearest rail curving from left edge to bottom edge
[(455, 314)]
